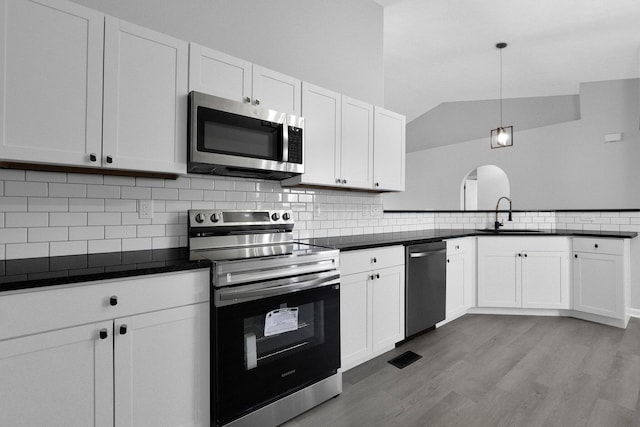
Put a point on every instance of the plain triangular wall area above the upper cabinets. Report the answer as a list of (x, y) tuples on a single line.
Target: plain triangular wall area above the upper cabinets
[(332, 43)]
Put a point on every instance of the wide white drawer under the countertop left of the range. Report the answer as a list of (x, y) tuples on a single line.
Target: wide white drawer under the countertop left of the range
[(44, 310)]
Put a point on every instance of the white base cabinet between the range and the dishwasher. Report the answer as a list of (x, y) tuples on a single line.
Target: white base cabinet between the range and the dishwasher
[(371, 303)]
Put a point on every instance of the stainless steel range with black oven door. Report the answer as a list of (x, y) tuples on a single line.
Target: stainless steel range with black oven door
[(275, 324)]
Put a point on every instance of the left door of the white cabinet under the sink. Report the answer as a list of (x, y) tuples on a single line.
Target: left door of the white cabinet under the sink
[(499, 280)]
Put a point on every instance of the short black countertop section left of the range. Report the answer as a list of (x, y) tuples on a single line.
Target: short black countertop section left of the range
[(48, 271)]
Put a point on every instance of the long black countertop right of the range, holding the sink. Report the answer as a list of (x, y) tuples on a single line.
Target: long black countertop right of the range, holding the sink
[(367, 241)]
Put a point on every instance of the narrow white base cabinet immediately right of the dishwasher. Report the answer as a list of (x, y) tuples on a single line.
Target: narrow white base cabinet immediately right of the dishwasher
[(461, 278)]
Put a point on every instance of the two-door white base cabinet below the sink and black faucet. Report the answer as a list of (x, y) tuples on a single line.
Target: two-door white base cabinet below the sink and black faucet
[(527, 272)]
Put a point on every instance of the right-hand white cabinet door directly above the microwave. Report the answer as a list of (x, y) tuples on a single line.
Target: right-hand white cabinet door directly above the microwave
[(276, 91)]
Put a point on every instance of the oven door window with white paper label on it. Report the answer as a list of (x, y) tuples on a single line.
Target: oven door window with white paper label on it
[(282, 332)]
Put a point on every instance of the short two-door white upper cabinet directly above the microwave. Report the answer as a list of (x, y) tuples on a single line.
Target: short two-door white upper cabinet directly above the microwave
[(222, 75)]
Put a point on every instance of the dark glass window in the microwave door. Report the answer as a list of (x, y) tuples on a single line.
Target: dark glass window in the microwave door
[(227, 133)]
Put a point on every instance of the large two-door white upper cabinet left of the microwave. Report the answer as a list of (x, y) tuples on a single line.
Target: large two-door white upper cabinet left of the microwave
[(55, 107)]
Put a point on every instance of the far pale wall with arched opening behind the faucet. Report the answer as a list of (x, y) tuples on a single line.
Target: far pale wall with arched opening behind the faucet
[(562, 166)]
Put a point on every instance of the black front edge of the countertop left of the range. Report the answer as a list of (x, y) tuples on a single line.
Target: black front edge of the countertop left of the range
[(93, 277)]
